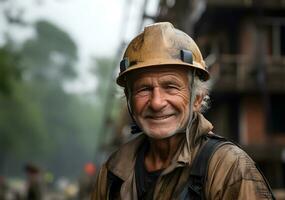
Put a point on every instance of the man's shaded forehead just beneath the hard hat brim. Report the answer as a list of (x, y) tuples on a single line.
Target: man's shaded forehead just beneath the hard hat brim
[(177, 72)]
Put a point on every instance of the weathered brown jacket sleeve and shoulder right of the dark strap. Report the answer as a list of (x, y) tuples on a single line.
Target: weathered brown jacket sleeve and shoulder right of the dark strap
[(232, 172)]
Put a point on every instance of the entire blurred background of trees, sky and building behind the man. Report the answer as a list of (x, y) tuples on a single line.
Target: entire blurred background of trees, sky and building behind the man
[(61, 113)]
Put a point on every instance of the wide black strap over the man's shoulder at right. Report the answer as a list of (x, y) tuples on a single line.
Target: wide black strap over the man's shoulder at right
[(194, 189)]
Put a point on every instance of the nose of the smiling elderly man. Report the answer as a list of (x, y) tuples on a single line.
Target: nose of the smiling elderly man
[(157, 101)]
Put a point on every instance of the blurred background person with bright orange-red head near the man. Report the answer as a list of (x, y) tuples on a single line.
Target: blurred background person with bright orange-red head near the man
[(87, 181)]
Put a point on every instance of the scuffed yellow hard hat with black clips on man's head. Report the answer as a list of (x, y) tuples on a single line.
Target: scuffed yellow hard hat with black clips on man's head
[(161, 44)]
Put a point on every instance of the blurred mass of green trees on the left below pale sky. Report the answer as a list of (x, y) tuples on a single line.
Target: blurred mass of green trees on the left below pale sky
[(39, 120)]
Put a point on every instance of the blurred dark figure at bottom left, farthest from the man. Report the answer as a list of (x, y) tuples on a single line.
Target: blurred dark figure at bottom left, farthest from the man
[(34, 182)]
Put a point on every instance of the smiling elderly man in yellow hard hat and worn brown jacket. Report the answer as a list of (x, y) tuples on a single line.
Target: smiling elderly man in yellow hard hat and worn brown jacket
[(165, 81)]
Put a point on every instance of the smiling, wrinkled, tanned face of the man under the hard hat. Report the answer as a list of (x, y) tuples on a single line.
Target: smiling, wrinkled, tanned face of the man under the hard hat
[(160, 100)]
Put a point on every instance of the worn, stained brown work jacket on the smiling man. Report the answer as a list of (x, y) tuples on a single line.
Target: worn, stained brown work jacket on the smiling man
[(231, 174)]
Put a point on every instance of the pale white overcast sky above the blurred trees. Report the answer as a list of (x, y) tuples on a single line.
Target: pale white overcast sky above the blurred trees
[(96, 26)]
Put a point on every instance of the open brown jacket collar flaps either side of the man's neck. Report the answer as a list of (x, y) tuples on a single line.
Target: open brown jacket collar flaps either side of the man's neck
[(122, 162)]
